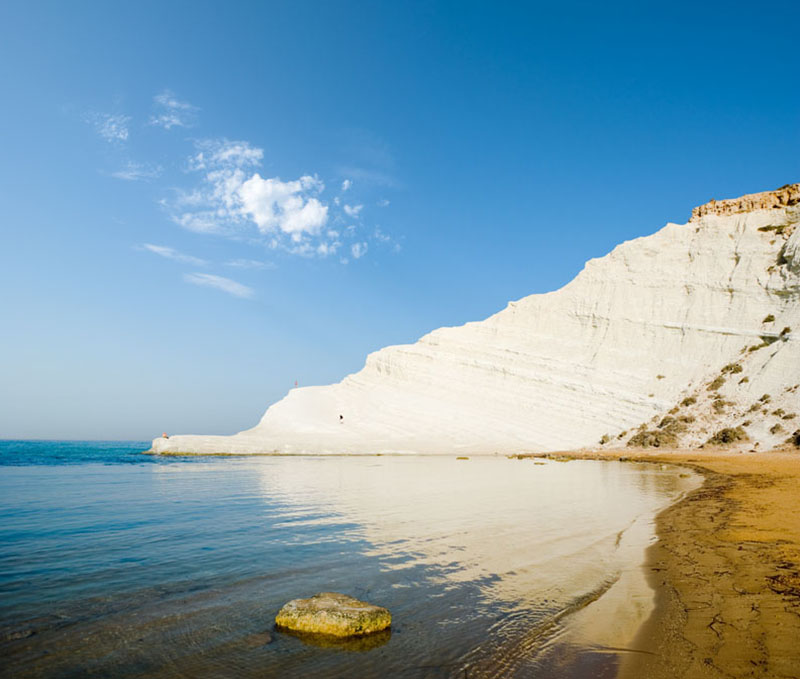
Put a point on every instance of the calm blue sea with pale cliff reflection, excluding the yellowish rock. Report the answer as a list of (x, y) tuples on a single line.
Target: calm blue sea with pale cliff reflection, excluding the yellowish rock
[(118, 564)]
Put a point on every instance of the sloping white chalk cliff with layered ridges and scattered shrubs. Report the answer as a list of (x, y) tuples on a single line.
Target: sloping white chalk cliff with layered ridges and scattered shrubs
[(636, 333)]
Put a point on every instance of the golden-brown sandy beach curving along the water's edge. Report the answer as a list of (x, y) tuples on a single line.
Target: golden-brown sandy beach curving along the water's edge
[(725, 569)]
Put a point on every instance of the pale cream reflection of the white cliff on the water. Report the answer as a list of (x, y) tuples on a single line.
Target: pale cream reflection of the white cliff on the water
[(530, 533)]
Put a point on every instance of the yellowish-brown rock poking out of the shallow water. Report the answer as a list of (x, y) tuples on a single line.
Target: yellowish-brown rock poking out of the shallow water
[(334, 614)]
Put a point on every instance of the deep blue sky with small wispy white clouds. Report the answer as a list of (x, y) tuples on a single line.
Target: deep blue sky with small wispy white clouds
[(204, 202)]
